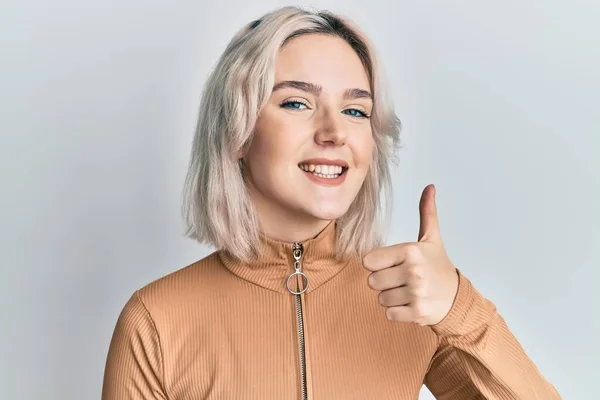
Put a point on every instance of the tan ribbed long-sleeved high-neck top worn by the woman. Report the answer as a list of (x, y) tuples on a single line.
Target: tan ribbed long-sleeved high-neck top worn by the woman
[(223, 329)]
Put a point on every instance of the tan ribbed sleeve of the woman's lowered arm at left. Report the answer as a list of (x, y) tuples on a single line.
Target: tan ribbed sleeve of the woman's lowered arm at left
[(134, 367)]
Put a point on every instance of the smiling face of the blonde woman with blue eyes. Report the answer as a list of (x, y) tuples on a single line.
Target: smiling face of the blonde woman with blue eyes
[(313, 142)]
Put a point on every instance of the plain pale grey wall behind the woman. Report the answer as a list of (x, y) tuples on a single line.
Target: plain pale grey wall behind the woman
[(98, 101)]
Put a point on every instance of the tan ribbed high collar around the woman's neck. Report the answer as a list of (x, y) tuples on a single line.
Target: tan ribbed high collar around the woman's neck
[(276, 262)]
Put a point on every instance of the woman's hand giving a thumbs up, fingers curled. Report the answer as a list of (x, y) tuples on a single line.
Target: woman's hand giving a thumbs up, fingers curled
[(417, 280)]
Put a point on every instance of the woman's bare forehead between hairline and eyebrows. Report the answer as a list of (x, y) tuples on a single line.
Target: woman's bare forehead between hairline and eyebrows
[(322, 59)]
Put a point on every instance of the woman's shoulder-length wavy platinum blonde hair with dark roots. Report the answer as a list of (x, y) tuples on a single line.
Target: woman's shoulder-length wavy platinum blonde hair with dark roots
[(216, 204)]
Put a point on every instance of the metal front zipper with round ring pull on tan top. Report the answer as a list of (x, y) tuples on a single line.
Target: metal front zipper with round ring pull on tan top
[(297, 251)]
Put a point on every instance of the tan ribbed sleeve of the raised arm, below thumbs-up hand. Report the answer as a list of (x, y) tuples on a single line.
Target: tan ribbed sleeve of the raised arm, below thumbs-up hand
[(479, 358)]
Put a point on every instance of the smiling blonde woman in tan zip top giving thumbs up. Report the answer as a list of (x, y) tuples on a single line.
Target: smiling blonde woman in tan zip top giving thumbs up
[(289, 161)]
